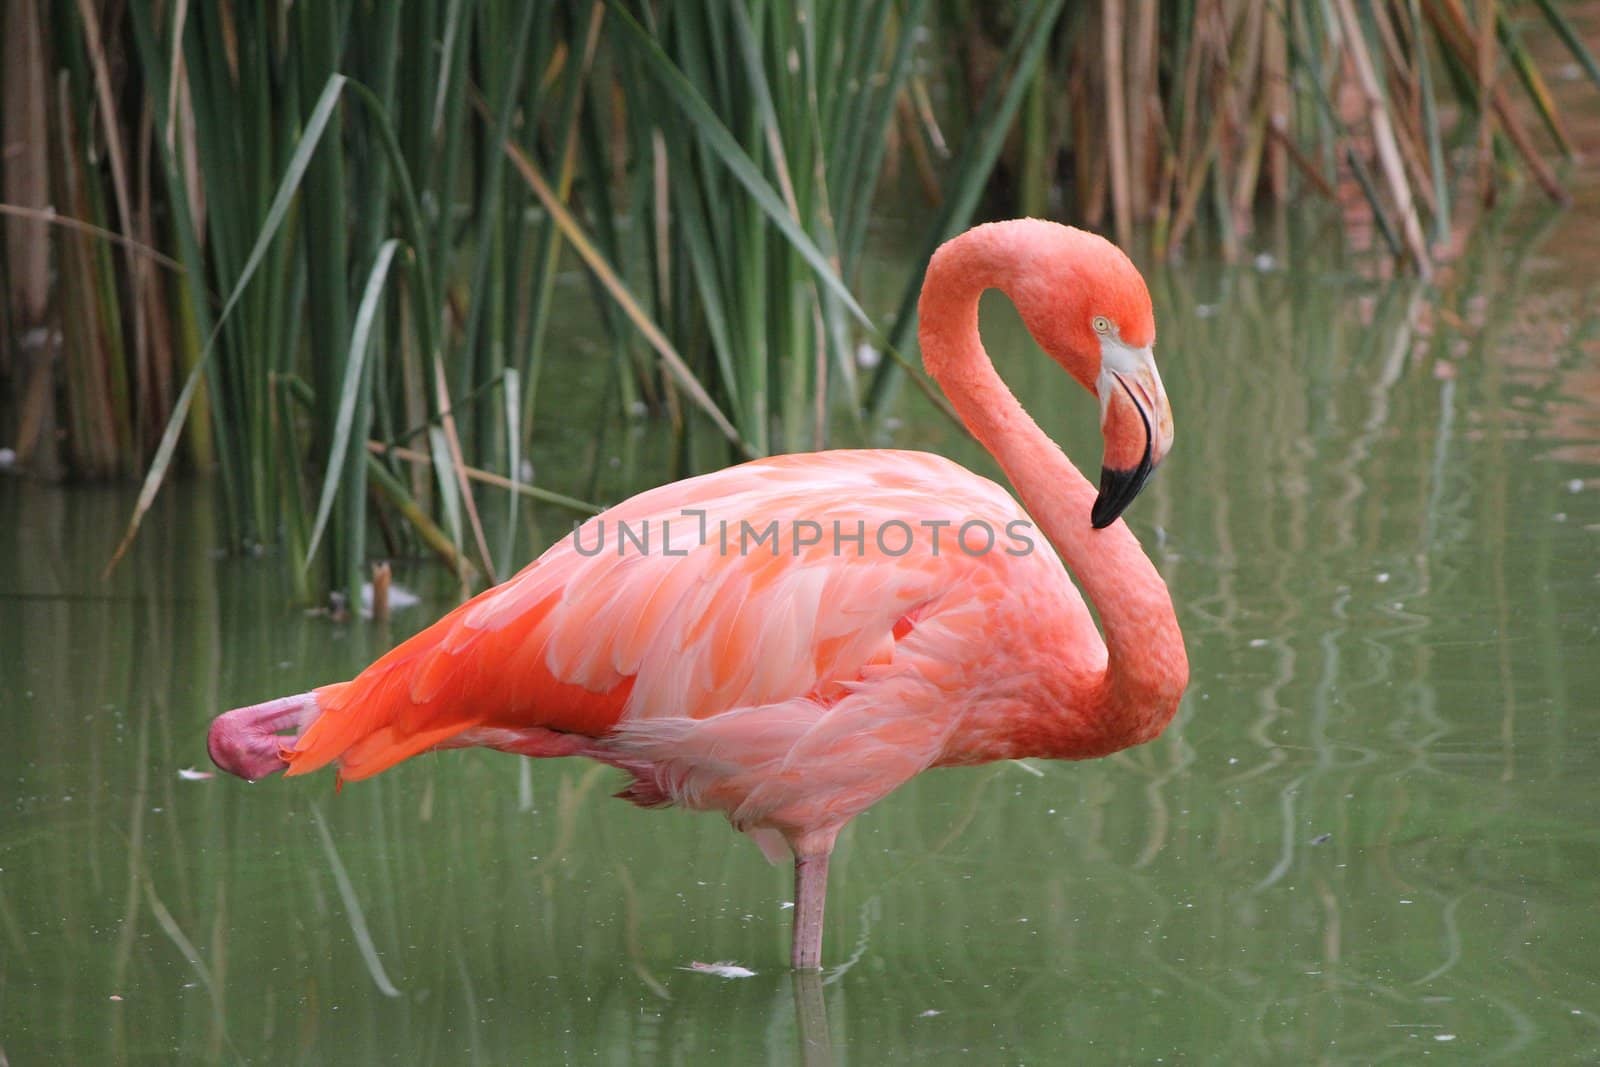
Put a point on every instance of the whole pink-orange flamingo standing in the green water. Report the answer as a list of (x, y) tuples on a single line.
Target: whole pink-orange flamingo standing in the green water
[(794, 682)]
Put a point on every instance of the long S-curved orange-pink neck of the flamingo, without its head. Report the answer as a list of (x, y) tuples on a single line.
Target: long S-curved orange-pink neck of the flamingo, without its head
[(1146, 668)]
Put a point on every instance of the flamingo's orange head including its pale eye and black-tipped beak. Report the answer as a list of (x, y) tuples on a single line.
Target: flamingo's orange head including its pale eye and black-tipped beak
[(1090, 310)]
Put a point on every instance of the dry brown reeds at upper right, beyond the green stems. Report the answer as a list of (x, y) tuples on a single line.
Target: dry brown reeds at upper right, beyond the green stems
[(1198, 113)]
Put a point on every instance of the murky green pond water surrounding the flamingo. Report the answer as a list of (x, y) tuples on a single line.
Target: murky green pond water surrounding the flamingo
[(1370, 836)]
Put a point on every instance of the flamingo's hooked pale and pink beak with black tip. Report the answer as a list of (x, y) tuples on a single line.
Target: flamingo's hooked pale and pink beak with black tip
[(1137, 425)]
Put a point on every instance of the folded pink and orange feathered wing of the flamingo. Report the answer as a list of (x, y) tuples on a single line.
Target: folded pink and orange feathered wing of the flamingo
[(766, 583)]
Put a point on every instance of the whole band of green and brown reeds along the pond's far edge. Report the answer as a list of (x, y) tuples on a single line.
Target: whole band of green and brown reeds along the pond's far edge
[(321, 249)]
